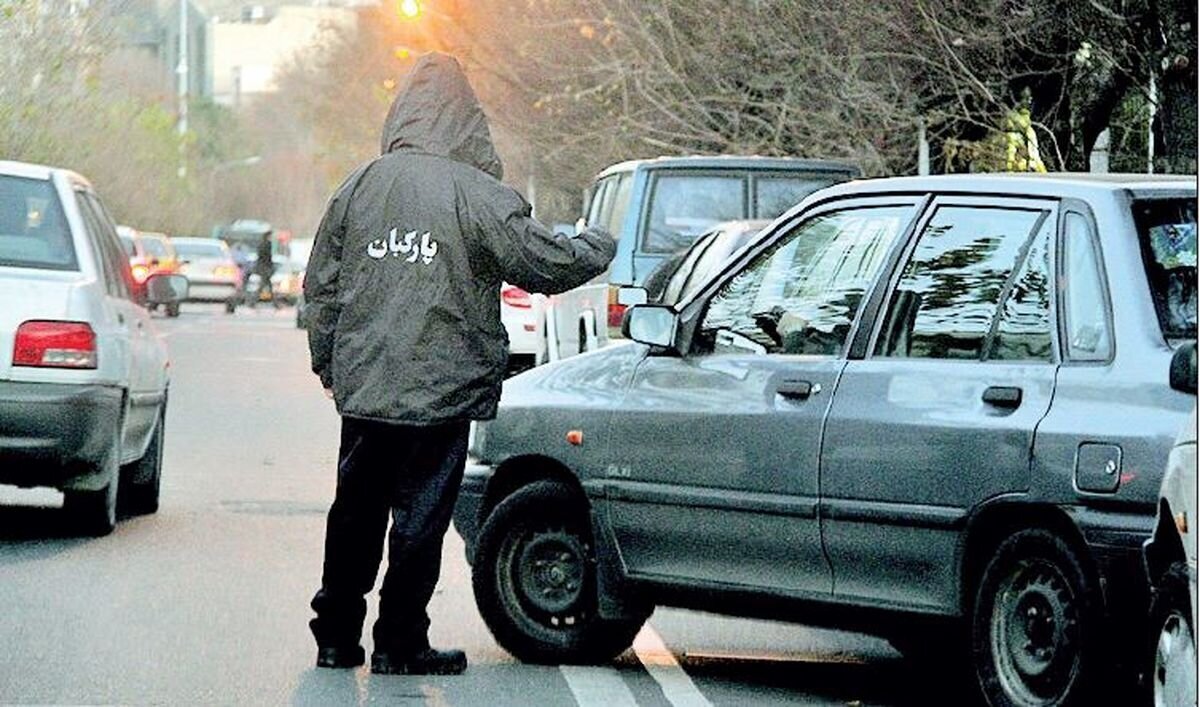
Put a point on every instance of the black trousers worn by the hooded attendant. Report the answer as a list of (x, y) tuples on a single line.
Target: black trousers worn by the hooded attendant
[(412, 474)]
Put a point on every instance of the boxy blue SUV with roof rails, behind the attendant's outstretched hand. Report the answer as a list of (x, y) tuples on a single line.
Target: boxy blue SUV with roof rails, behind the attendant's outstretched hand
[(656, 209)]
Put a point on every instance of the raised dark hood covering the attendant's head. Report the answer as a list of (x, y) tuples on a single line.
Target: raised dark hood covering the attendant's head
[(439, 113)]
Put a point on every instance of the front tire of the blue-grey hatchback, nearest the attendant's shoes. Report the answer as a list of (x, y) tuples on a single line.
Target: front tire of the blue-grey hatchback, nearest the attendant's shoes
[(536, 580)]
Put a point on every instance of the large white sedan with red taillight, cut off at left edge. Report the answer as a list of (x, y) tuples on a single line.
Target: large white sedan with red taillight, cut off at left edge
[(83, 378)]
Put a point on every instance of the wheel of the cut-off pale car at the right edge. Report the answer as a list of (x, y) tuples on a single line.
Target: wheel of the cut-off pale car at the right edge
[(1173, 667)]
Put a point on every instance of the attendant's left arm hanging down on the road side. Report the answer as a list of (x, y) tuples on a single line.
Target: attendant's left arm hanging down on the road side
[(321, 280)]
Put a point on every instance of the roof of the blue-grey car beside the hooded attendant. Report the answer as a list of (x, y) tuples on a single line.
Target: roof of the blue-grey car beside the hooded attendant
[(1060, 184)]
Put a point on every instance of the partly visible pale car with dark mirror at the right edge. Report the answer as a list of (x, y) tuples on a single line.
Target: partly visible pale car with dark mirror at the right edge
[(1172, 561)]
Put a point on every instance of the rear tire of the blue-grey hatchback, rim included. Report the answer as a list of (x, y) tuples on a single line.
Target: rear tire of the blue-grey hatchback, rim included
[(1035, 626)]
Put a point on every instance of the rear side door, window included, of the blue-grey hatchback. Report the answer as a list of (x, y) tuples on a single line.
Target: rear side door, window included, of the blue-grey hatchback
[(941, 414)]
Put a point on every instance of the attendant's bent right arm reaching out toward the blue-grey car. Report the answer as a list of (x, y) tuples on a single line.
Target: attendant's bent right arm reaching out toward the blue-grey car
[(532, 256)]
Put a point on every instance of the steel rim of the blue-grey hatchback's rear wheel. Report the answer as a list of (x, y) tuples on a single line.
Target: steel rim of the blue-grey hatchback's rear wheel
[(1035, 636)]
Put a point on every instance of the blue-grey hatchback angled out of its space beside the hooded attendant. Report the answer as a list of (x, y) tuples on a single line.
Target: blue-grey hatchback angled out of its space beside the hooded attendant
[(931, 409)]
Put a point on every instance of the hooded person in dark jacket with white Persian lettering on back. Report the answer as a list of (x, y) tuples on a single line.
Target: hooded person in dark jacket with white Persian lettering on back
[(406, 337)]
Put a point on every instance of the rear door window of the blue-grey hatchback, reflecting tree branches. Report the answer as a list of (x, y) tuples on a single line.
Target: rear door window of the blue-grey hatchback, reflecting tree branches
[(975, 287)]
